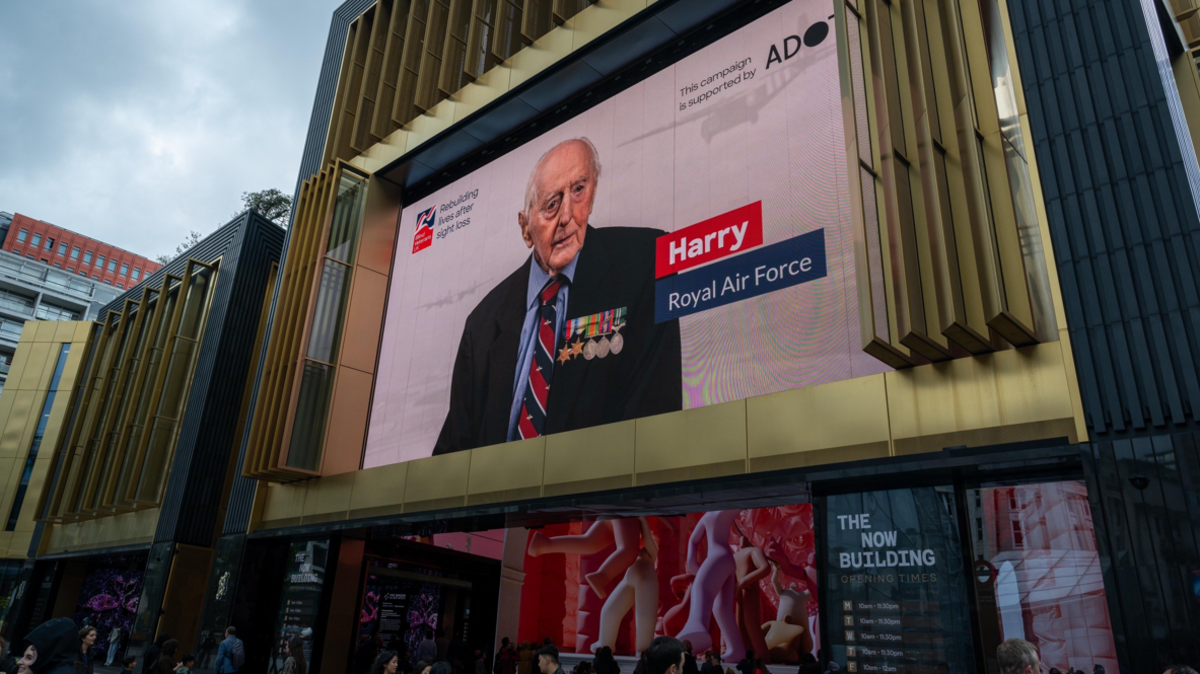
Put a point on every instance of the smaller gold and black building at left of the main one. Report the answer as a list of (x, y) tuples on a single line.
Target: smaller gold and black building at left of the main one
[(123, 452)]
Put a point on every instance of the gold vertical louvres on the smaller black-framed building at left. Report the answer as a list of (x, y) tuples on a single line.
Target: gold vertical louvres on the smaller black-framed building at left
[(131, 401)]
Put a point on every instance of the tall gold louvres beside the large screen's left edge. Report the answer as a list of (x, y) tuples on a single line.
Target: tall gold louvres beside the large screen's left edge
[(325, 242)]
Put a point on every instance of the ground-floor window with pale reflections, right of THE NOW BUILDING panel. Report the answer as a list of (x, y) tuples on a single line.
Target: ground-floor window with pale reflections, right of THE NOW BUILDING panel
[(1039, 573)]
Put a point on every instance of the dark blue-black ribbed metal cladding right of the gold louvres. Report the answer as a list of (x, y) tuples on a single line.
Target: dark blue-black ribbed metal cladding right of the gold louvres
[(1123, 218)]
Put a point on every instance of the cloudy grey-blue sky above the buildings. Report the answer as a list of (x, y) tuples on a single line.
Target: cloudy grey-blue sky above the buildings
[(139, 121)]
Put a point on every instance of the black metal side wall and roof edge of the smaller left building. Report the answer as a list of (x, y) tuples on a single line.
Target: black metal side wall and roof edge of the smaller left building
[(247, 248)]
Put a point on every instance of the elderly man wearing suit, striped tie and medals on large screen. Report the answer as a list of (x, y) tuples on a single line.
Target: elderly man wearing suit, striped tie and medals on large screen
[(568, 340)]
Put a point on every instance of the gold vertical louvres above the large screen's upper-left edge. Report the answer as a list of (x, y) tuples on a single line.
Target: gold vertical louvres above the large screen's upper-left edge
[(405, 57)]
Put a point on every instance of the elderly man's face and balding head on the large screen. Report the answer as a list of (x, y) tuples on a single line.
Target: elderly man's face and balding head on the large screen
[(555, 225)]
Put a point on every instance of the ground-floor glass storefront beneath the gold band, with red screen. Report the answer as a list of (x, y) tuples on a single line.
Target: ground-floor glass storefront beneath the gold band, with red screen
[(914, 581)]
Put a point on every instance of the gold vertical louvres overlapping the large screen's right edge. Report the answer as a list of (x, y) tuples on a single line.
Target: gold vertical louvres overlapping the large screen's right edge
[(947, 248)]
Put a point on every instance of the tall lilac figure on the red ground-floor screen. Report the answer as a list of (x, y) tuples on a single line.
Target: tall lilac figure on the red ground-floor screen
[(713, 592)]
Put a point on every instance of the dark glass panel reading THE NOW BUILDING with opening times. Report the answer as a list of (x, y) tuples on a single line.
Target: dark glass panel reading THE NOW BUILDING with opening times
[(897, 587)]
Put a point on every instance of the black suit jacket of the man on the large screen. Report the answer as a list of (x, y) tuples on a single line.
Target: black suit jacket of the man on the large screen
[(615, 269)]
